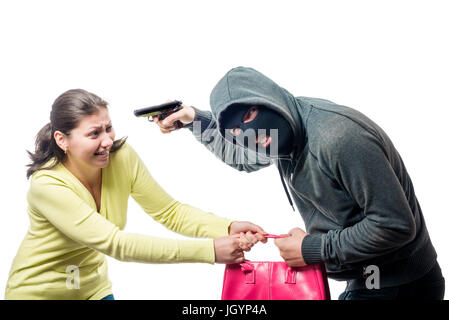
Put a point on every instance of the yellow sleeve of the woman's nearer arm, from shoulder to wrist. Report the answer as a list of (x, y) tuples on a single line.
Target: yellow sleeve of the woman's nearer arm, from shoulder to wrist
[(71, 215)]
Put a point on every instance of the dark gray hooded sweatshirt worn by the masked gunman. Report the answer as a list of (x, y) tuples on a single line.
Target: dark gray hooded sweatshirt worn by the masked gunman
[(344, 175)]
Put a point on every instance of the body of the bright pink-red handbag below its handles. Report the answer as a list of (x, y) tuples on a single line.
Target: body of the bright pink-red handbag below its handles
[(268, 280)]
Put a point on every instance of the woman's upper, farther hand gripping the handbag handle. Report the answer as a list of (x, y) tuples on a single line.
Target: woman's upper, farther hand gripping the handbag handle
[(249, 234)]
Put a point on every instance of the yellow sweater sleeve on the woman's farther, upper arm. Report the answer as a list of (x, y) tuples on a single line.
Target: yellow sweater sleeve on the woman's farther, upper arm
[(181, 218)]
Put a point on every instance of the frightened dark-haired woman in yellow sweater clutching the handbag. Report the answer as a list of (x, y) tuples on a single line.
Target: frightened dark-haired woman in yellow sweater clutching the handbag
[(81, 179)]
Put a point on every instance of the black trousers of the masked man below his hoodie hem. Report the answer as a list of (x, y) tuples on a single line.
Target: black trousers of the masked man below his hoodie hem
[(430, 287)]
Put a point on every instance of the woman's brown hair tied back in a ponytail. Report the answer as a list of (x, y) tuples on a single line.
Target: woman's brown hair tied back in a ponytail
[(66, 113)]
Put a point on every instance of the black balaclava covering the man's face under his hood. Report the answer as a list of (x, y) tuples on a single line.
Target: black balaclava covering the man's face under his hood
[(265, 121)]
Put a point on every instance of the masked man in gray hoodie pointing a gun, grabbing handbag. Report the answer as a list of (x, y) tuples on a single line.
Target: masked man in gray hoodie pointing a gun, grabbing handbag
[(344, 174)]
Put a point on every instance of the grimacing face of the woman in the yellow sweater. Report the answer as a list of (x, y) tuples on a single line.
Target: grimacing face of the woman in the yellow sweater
[(88, 145)]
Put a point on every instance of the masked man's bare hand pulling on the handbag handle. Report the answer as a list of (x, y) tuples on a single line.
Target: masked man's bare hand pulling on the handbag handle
[(290, 247)]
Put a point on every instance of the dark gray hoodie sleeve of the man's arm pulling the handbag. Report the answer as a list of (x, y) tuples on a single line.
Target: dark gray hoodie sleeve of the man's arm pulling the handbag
[(363, 169)]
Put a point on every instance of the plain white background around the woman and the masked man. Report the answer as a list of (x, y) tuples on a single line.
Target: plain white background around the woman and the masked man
[(388, 59)]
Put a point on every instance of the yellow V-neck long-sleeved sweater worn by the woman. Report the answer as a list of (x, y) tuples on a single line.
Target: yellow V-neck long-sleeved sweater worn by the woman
[(67, 235)]
